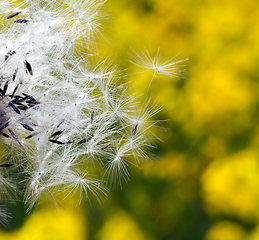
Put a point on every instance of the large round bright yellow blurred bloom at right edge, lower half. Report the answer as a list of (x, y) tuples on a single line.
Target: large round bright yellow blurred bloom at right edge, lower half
[(230, 185)]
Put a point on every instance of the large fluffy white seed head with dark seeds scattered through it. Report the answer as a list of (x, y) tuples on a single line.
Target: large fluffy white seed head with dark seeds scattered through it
[(60, 111)]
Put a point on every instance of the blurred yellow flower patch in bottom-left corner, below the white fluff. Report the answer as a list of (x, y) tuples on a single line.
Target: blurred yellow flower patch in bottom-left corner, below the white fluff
[(50, 223)]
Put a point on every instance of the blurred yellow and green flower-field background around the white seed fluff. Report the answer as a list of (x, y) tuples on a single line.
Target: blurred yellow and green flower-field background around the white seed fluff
[(204, 183)]
